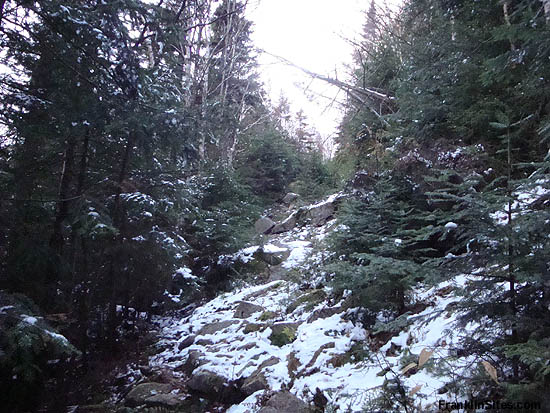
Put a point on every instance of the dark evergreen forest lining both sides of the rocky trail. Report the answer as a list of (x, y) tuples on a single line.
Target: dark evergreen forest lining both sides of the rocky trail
[(139, 148)]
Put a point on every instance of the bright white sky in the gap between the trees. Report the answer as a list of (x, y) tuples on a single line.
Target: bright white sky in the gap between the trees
[(311, 34)]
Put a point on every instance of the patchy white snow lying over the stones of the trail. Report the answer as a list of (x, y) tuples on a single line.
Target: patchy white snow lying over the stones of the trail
[(321, 356)]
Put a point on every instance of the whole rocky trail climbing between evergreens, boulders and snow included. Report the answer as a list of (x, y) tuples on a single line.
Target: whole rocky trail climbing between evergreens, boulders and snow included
[(281, 343)]
